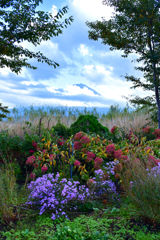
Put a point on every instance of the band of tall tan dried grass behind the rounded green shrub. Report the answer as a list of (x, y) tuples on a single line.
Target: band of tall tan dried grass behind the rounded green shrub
[(126, 122)]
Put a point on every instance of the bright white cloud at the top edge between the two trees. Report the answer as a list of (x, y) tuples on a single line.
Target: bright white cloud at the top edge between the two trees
[(92, 9)]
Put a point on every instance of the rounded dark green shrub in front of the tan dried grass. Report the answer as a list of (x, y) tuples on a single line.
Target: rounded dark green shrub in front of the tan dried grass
[(89, 124)]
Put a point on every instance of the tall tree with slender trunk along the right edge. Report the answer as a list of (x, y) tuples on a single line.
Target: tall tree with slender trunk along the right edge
[(135, 28)]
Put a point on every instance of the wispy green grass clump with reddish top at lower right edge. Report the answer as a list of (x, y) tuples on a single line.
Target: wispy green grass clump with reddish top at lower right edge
[(142, 186)]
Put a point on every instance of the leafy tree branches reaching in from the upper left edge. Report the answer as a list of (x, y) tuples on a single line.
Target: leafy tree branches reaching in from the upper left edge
[(19, 22)]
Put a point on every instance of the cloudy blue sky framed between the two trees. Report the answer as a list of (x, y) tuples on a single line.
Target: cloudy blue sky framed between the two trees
[(89, 75)]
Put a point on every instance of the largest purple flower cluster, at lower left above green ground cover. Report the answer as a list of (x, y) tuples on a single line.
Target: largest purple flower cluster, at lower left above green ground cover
[(51, 193)]
